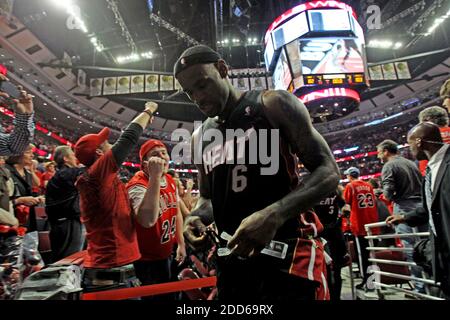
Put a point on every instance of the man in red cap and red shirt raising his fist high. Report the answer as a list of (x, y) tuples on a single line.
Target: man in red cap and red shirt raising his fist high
[(105, 208)]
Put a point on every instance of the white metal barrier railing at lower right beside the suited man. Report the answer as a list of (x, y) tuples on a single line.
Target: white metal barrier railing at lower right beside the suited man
[(375, 261)]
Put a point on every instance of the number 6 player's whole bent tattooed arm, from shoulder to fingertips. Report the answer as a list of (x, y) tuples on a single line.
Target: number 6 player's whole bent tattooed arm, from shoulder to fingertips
[(290, 116)]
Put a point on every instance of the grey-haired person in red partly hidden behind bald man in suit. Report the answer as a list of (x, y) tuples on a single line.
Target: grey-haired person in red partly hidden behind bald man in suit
[(438, 116)]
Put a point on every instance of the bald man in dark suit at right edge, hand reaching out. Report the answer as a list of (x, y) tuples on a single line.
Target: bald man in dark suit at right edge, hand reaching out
[(426, 144)]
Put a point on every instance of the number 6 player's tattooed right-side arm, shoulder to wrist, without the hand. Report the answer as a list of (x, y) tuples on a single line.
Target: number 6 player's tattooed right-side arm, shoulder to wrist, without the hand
[(288, 114)]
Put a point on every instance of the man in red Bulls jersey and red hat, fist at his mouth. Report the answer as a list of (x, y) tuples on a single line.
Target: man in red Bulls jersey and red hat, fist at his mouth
[(153, 193)]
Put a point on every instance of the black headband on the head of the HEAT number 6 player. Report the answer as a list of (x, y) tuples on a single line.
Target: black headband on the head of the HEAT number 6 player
[(200, 54)]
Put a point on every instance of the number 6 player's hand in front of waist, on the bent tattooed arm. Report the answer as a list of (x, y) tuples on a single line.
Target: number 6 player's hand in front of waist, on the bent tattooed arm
[(254, 233)]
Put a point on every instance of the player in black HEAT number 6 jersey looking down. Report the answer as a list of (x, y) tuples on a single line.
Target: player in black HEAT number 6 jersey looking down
[(252, 207)]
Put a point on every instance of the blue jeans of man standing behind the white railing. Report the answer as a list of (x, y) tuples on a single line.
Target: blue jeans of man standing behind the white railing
[(405, 207)]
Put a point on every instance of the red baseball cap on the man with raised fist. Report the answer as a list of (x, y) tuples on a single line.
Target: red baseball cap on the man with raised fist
[(86, 146)]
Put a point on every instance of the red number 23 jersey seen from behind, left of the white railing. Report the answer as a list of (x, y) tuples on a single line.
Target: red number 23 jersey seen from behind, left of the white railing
[(359, 195)]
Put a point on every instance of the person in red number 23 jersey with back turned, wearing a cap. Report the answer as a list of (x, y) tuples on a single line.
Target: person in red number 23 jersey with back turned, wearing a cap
[(361, 198)]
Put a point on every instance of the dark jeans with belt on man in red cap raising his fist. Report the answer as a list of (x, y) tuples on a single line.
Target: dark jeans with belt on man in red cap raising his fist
[(107, 279)]
